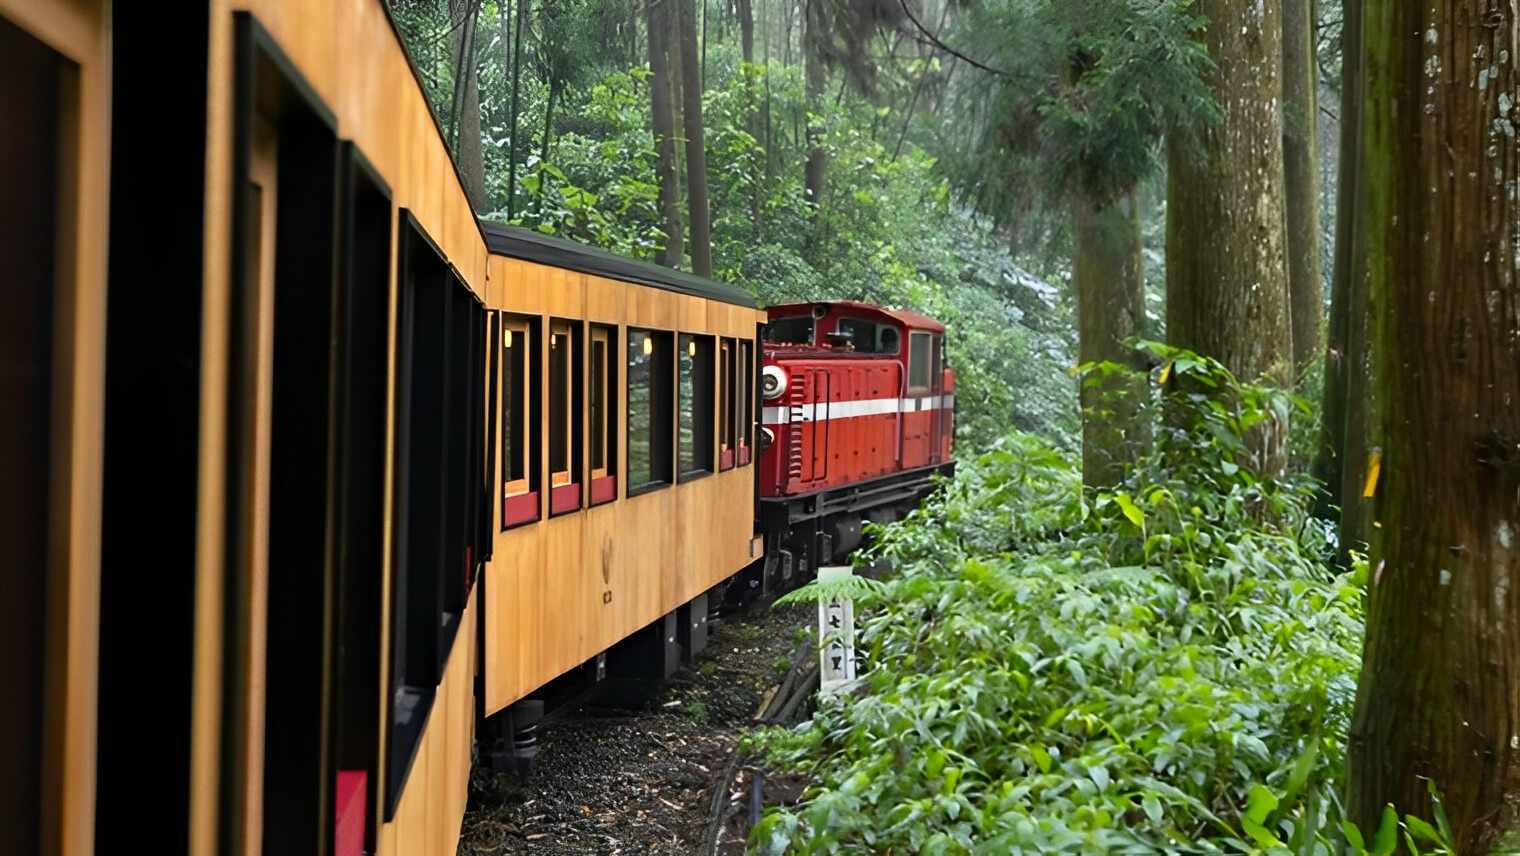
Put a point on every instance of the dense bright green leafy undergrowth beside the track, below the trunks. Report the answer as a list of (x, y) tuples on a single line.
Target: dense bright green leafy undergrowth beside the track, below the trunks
[(1164, 667)]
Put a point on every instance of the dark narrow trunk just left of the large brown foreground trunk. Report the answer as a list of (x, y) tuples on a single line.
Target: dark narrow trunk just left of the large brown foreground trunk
[(1340, 455)]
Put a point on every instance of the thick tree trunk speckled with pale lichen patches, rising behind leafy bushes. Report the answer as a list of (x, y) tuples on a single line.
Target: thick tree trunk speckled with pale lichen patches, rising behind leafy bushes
[(1227, 267)]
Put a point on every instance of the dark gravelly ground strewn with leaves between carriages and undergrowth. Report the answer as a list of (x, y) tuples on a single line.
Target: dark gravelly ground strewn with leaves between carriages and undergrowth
[(624, 782)]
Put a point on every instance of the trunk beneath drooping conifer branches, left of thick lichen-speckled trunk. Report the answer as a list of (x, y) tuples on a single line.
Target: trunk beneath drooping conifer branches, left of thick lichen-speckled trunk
[(1110, 306)]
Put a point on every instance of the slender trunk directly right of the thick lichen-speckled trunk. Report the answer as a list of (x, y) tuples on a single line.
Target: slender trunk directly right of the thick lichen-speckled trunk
[(1302, 180)]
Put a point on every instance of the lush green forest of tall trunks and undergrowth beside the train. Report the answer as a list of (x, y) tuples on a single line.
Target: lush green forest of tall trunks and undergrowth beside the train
[(1230, 291)]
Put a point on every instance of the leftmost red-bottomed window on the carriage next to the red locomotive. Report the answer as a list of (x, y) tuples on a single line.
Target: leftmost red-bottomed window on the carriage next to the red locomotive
[(518, 381)]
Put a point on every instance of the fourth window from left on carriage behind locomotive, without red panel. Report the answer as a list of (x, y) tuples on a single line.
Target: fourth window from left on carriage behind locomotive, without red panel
[(650, 379)]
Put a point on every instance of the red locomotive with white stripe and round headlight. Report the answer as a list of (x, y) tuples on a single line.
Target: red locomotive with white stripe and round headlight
[(857, 420)]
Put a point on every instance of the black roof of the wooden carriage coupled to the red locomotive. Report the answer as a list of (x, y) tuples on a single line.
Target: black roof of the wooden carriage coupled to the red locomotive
[(536, 247)]
